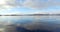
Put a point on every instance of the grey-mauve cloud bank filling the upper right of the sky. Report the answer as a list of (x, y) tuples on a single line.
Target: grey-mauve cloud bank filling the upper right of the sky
[(40, 4)]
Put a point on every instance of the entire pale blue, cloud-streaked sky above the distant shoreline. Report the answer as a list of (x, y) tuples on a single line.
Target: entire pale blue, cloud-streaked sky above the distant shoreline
[(29, 6)]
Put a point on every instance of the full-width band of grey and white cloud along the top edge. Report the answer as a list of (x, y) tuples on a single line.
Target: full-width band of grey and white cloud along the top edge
[(38, 4)]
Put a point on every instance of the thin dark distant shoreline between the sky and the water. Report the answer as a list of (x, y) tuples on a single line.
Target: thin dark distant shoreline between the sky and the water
[(33, 15)]
